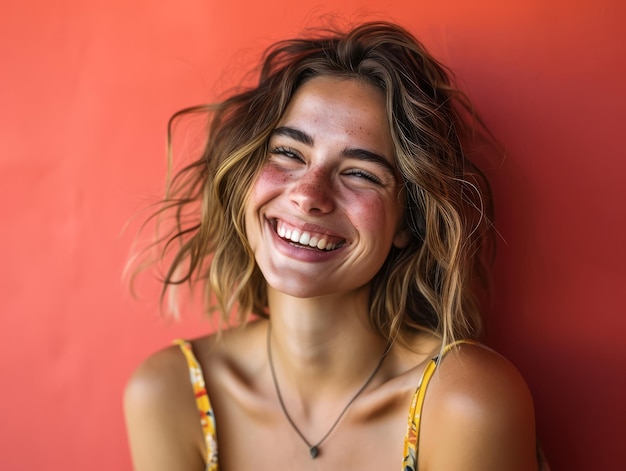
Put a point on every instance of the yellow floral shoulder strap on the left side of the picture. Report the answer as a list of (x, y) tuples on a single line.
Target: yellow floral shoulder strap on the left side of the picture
[(203, 404)]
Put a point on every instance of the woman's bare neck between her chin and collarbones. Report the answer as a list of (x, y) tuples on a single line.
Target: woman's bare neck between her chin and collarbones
[(323, 348)]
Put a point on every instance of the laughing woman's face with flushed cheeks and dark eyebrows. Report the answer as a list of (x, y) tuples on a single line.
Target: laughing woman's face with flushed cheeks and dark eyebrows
[(331, 178)]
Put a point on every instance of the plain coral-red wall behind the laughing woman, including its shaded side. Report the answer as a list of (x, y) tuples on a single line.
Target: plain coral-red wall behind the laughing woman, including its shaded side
[(86, 90)]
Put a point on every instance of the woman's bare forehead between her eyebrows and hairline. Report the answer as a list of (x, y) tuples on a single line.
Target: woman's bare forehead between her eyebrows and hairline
[(329, 107)]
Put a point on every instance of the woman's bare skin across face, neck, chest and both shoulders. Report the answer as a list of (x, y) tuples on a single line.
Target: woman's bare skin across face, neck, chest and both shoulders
[(330, 172)]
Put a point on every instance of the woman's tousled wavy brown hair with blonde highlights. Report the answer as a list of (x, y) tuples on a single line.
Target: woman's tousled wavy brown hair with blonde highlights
[(430, 284)]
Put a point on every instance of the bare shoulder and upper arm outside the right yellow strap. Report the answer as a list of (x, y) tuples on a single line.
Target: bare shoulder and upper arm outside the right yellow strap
[(478, 415)]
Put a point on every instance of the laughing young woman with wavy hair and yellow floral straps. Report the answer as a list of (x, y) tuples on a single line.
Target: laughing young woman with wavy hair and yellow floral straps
[(335, 204)]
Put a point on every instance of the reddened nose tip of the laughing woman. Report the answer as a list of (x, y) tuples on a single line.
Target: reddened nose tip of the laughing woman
[(313, 192)]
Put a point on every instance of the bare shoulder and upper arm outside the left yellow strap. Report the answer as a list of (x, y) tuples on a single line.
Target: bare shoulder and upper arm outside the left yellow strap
[(163, 425)]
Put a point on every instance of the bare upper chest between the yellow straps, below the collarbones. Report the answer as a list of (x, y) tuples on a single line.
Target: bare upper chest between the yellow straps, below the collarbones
[(368, 437)]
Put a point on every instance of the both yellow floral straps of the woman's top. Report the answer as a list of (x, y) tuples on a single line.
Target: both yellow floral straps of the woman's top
[(207, 419)]
